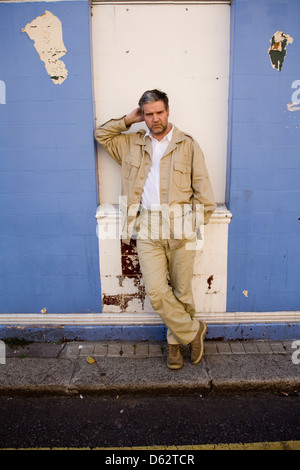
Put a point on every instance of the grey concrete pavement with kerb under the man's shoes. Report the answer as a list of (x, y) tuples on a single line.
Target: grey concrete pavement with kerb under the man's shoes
[(112, 367)]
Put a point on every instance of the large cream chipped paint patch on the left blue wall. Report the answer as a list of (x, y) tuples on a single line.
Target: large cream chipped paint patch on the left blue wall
[(46, 32)]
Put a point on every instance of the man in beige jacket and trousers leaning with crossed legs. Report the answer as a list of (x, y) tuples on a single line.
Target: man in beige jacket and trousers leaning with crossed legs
[(163, 167)]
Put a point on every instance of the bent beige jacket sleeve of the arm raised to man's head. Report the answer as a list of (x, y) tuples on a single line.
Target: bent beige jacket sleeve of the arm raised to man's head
[(110, 136)]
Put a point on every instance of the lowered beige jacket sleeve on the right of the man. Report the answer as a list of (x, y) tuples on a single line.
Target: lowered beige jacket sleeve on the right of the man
[(203, 192)]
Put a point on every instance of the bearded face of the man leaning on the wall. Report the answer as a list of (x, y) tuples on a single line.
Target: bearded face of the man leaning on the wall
[(156, 118)]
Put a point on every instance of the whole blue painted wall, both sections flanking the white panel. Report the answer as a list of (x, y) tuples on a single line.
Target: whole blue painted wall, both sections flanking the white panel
[(48, 197)]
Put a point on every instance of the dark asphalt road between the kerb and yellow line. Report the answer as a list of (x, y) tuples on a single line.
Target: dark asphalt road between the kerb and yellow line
[(124, 421)]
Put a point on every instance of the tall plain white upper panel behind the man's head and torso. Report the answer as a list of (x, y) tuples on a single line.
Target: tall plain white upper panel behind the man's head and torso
[(180, 49)]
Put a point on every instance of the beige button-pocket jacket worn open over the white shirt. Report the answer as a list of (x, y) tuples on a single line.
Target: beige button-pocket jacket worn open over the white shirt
[(184, 180)]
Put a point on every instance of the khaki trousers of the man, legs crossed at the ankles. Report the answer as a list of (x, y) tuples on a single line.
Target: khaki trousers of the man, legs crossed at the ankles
[(173, 300)]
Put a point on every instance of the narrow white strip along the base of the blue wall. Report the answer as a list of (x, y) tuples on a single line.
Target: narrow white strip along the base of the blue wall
[(121, 319)]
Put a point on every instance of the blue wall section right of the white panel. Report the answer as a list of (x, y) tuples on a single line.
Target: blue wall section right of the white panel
[(264, 165)]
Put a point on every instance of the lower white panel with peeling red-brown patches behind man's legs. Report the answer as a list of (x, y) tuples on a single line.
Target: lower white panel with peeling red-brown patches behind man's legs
[(122, 285)]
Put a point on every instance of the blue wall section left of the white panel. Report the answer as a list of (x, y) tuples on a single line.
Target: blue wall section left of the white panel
[(48, 244)]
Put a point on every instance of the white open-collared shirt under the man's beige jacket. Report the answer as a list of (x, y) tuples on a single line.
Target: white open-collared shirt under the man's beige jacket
[(151, 193)]
